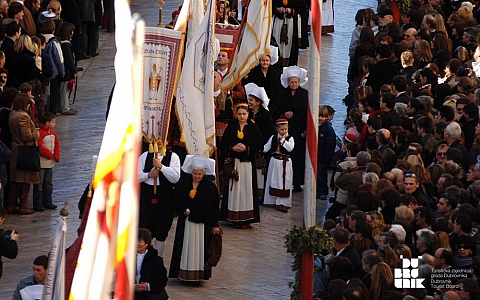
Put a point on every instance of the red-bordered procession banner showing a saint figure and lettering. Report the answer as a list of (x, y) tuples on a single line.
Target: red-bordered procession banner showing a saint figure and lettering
[(161, 63)]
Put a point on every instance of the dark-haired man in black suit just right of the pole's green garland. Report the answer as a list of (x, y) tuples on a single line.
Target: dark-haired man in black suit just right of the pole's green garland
[(343, 248)]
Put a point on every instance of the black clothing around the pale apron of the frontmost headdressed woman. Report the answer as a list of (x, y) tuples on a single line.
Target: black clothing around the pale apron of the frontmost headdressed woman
[(203, 209)]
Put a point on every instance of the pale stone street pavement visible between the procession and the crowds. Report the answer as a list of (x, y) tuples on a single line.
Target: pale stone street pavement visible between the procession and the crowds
[(254, 264)]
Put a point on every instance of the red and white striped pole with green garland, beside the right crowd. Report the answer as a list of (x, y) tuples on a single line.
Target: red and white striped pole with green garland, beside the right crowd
[(309, 210)]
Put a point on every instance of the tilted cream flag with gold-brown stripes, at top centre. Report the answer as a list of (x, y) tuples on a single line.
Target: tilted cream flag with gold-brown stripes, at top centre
[(254, 42)]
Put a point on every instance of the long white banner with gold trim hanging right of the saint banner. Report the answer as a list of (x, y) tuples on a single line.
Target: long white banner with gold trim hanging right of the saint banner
[(194, 97)]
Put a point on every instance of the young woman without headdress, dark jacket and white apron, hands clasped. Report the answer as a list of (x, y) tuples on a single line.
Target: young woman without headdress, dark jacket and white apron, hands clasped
[(241, 141)]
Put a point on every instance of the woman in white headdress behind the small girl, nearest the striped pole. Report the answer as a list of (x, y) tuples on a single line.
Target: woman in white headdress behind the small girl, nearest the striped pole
[(292, 104)]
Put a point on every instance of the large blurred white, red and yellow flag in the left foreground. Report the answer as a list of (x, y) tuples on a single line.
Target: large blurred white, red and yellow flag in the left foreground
[(108, 254)]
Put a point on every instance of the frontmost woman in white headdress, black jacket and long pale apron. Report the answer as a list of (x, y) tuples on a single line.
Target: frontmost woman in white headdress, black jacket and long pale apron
[(196, 201)]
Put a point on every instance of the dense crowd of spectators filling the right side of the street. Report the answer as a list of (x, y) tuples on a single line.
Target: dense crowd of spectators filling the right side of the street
[(408, 184)]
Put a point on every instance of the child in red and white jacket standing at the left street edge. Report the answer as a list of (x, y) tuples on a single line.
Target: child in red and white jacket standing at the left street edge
[(49, 154)]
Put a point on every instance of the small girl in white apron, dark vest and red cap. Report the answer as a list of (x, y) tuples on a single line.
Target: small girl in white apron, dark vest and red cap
[(280, 172)]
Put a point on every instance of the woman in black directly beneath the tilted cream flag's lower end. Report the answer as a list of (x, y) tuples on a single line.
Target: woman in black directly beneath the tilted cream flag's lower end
[(266, 75)]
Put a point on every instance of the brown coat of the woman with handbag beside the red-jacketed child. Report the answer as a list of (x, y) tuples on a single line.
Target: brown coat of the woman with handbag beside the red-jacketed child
[(23, 132)]
